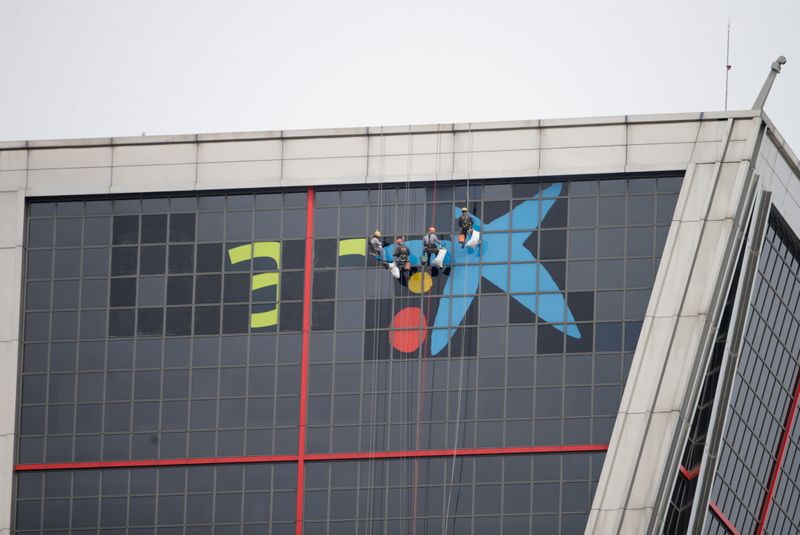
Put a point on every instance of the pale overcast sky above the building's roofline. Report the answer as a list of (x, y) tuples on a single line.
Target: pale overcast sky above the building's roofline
[(111, 68)]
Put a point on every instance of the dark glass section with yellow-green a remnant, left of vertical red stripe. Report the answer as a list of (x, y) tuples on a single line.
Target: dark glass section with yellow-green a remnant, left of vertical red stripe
[(147, 328)]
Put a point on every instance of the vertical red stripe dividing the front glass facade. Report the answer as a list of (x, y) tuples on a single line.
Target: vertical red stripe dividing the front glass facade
[(301, 429)]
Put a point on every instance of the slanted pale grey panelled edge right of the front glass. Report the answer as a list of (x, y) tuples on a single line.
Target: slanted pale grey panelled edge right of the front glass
[(680, 324)]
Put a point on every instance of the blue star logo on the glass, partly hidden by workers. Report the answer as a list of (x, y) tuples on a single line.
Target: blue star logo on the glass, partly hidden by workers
[(525, 278)]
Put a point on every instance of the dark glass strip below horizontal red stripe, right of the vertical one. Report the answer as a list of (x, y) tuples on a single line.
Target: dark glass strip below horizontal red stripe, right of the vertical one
[(513, 494)]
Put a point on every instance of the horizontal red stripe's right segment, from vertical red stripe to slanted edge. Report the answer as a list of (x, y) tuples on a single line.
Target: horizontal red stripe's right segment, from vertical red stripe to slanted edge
[(458, 452)]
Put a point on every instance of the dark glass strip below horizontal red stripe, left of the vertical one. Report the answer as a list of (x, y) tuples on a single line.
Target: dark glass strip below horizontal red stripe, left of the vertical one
[(235, 498)]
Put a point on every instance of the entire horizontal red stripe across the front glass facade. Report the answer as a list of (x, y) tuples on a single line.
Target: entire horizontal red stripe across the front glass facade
[(577, 448)]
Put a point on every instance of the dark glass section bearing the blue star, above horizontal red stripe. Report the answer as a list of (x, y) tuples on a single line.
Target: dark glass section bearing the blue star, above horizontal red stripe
[(524, 340)]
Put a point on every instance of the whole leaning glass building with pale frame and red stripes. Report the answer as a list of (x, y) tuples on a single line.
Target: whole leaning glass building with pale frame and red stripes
[(198, 341)]
